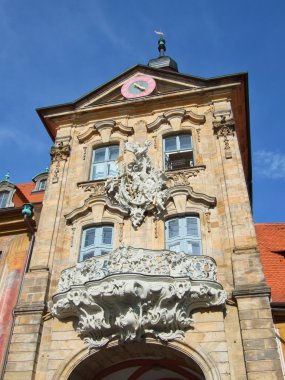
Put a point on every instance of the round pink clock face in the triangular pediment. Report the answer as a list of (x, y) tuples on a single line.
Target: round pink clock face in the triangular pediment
[(140, 85)]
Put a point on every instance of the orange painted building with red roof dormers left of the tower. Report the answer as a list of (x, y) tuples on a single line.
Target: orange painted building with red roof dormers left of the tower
[(20, 207)]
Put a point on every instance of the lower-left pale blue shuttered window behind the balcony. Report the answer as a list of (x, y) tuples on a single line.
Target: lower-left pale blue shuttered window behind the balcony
[(95, 241)]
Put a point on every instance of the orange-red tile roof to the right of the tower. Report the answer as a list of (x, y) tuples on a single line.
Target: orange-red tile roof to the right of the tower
[(271, 242)]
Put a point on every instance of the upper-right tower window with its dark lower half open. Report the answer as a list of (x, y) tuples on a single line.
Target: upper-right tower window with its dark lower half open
[(178, 152)]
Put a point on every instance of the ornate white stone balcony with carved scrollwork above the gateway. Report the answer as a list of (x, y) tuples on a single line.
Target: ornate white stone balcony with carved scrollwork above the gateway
[(132, 292)]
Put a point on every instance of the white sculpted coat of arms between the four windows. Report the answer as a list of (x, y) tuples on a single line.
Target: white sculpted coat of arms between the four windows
[(138, 186)]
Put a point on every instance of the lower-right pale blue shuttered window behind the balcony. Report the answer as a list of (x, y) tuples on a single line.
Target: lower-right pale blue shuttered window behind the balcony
[(183, 235)]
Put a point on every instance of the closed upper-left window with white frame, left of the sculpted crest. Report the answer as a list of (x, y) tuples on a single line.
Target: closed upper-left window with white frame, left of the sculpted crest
[(104, 162)]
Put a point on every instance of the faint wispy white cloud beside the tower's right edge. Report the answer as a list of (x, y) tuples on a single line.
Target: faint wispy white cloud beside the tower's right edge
[(269, 164)]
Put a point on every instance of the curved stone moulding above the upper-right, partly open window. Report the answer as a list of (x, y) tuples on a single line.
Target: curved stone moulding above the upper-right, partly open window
[(174, 118)]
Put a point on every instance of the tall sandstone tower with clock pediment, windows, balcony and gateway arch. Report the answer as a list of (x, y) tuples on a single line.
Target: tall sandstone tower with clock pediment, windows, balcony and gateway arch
[(179, 268)]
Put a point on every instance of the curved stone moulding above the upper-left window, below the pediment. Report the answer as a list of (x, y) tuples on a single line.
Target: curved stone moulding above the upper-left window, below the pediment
[(104, 128)]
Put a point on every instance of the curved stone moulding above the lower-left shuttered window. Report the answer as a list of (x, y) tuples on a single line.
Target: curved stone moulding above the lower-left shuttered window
[(86, 208)]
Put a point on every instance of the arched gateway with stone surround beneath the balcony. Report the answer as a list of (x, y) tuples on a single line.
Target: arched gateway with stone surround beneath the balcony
[(148, 360)]
